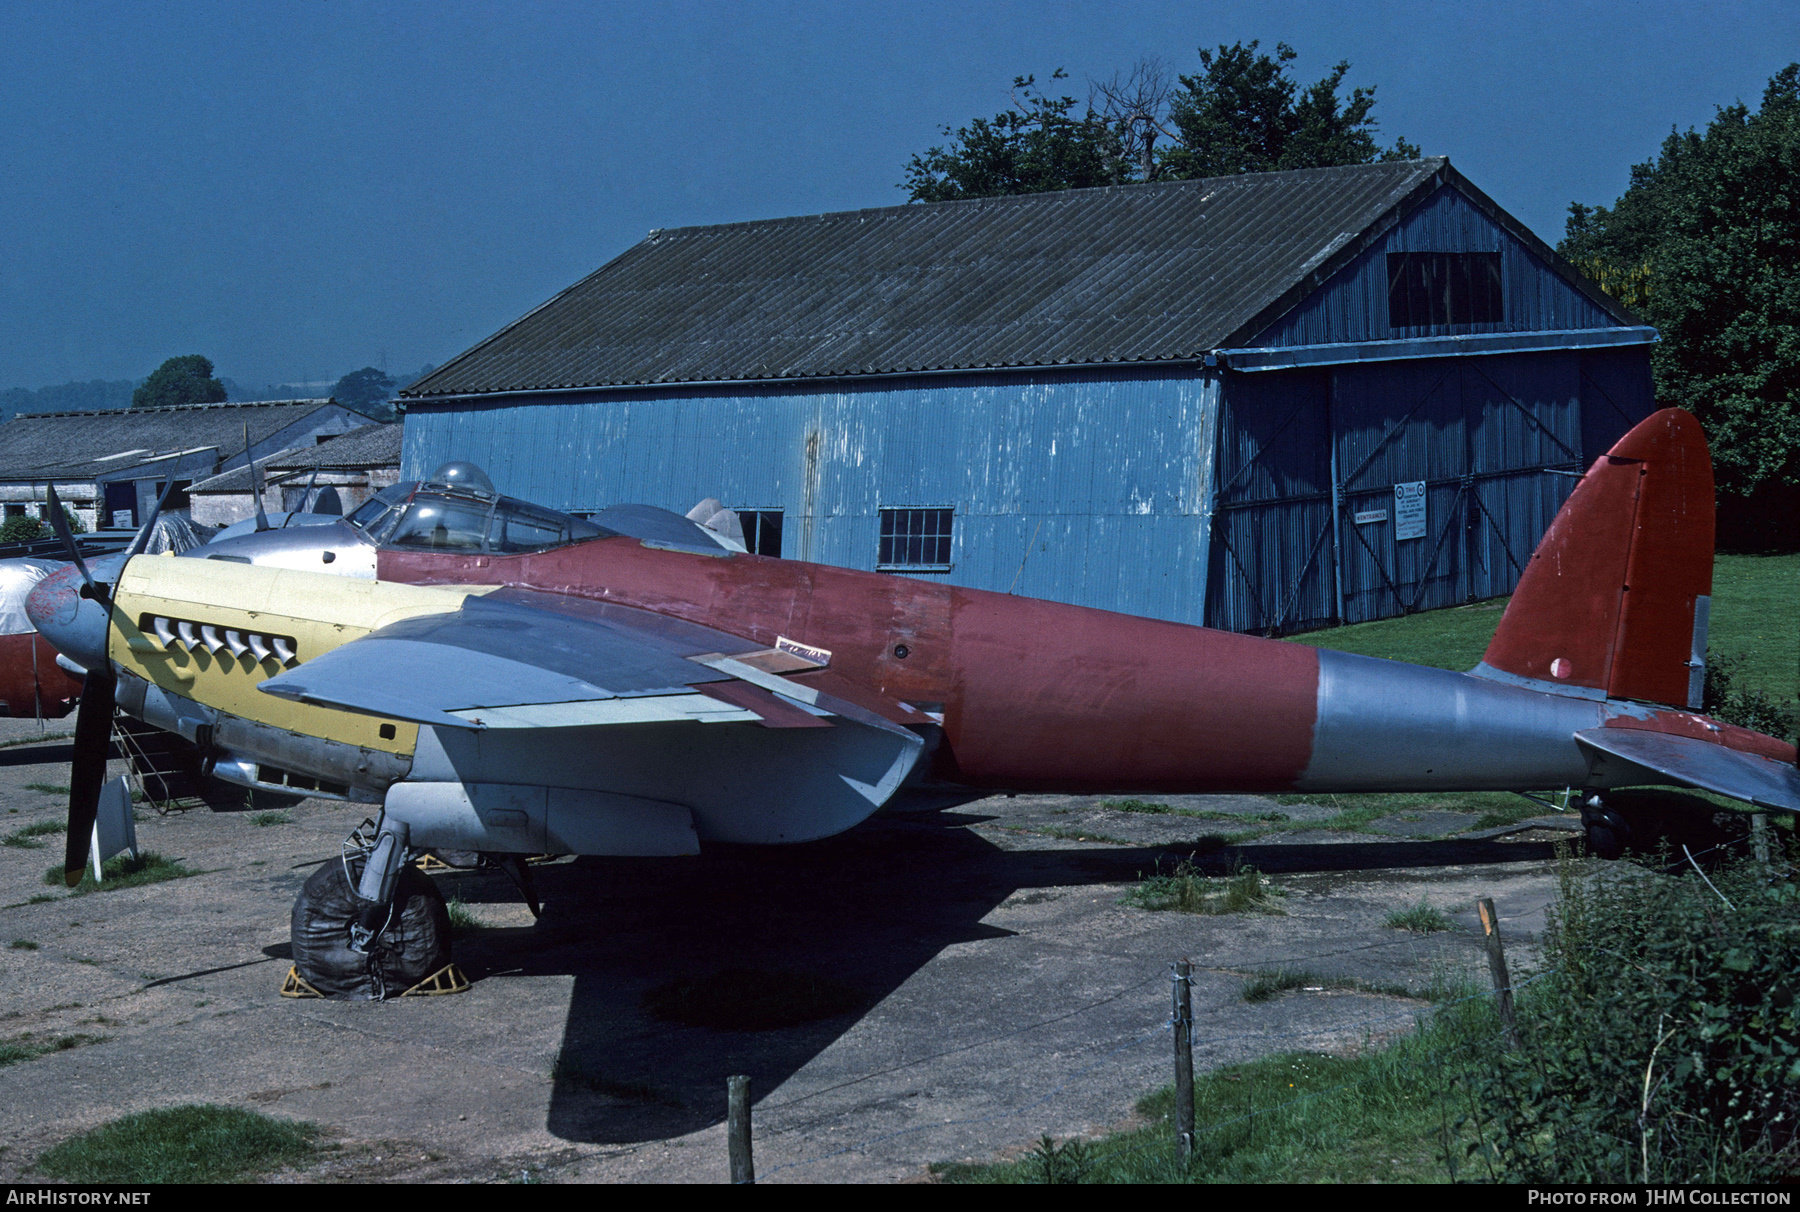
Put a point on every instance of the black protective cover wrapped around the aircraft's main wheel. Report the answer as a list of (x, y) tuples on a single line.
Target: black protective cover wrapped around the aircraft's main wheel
[(415, 945)]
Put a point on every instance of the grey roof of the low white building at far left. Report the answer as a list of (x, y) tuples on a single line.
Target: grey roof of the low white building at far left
[(85, 446)]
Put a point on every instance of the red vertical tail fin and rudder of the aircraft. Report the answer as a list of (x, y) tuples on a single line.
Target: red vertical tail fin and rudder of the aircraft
[(1615, 599)]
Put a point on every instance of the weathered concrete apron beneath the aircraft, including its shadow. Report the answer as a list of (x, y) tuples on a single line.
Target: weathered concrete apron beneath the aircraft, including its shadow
[(1007, 993)]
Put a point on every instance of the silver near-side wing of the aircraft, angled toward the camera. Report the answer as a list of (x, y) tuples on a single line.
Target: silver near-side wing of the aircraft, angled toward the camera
[(604, 709)]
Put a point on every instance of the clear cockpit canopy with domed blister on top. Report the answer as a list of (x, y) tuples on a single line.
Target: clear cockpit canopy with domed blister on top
[(465, 514)]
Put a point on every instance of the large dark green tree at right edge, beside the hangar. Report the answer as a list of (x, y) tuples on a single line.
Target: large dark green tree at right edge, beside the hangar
[(1705, 244)]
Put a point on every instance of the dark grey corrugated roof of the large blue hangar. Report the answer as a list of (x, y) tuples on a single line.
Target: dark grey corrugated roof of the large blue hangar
[(1084, 276)]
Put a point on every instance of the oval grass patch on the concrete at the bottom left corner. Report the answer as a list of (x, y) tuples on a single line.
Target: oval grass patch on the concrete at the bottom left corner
[(193, 1144)]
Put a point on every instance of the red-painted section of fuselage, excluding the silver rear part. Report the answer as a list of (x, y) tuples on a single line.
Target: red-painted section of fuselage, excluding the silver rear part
[(1034, 694)]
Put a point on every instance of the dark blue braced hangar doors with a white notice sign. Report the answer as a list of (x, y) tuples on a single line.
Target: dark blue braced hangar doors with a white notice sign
[(1308, 525)]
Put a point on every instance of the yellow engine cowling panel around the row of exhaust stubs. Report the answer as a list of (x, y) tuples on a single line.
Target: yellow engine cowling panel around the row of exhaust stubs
[(316, 611)]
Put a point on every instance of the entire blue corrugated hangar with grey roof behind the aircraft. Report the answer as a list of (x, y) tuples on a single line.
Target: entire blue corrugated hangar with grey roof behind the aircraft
[(1261, 402)]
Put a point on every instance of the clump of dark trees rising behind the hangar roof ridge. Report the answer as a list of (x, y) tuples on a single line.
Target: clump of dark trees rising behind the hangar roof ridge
[(1241, 114)]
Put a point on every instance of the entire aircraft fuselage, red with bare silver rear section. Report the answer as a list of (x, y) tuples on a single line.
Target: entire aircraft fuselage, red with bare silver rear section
[(1041, 696)]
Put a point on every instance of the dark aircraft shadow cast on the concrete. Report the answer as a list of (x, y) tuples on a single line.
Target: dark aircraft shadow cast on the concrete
[(861, 914)]
